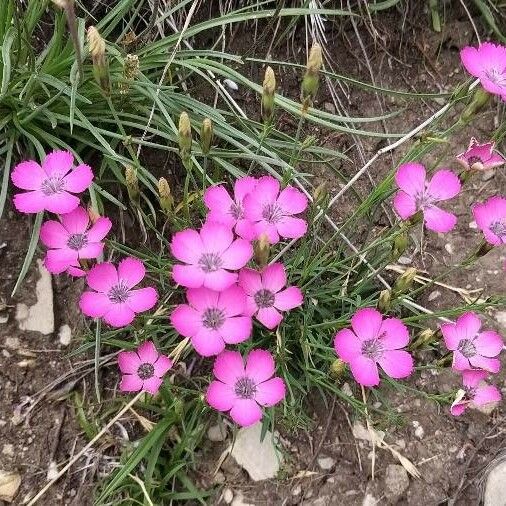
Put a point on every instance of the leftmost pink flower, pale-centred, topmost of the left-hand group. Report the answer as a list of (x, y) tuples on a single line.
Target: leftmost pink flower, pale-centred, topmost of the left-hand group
[(52, 185)]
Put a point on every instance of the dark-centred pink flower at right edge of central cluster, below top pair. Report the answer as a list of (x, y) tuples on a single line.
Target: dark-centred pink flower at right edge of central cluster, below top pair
[(265, 294)]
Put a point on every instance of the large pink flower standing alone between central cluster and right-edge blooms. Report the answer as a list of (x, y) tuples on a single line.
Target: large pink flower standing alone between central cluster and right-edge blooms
[(374, 341)]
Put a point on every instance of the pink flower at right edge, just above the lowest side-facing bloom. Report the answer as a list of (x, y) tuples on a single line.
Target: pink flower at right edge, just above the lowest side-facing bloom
[(472, 348)]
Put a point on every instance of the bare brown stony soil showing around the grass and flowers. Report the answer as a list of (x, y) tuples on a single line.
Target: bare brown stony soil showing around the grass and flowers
[(450, 453)]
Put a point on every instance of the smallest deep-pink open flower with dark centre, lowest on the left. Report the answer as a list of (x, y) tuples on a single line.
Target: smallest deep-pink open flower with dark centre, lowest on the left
[(143, 369)]
